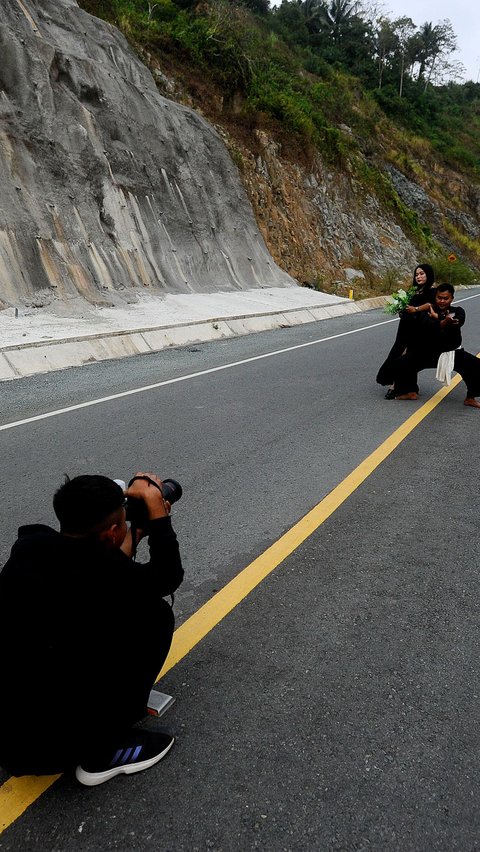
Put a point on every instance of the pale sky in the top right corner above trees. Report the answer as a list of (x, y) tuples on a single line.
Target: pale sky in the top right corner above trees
[(464, 16)]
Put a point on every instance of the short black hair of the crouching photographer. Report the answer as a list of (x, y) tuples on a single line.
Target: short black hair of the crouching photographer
[(84, 503)]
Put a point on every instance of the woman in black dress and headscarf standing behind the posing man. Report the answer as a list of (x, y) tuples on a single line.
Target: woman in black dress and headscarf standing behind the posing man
[(424, 284)]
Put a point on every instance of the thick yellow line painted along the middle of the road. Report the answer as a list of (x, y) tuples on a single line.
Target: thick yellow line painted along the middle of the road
[(17, 794)]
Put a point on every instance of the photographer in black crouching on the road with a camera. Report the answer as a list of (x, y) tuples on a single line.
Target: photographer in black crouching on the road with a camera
[(85, 631)]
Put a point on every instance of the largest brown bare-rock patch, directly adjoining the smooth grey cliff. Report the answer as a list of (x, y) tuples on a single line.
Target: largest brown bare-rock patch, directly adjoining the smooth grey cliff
[(318, 222)]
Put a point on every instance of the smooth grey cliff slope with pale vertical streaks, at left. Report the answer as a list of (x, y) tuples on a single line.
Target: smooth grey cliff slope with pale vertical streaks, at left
[(107, 185)]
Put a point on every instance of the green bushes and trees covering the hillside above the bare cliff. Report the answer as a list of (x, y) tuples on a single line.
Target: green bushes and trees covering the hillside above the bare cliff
[(333, 78)]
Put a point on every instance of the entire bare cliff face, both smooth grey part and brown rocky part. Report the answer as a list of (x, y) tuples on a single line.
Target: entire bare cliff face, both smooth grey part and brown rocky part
[(108, 186)]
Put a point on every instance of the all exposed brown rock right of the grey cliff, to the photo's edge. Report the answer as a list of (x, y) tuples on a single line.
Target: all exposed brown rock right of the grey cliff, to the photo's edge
[(319, 222)]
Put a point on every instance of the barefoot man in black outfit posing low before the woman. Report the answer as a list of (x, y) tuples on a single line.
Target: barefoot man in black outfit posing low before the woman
[(438, 331)]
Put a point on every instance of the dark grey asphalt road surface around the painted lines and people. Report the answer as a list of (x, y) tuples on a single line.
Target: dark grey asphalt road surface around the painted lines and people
[(336, 707)]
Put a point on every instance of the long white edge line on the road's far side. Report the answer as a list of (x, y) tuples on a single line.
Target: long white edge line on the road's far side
[(188, 376)]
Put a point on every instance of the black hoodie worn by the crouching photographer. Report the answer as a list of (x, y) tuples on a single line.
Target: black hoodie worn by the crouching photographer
[(74, 617)]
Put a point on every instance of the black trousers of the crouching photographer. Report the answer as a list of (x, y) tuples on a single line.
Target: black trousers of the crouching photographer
[(55, 736)]
